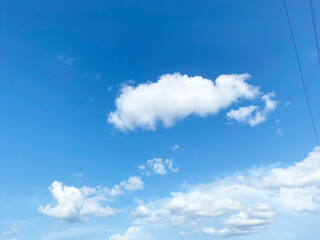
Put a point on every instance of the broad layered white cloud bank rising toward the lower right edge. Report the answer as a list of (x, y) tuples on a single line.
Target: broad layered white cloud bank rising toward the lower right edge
[(239, 204)]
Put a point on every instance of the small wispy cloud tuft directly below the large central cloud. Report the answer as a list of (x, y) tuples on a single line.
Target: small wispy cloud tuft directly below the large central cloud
[(158, 166)]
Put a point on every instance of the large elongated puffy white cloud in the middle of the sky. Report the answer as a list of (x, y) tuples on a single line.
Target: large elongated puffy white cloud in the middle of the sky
[(174, 97)]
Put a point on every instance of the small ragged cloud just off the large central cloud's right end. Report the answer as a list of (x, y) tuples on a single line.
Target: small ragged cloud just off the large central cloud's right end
[(252, 114)]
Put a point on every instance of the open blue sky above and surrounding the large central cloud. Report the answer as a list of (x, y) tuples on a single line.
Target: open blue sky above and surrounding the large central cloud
[(53, 116)]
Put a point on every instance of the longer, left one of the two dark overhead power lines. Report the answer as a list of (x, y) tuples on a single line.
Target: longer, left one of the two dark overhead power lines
[(301, 75)]
